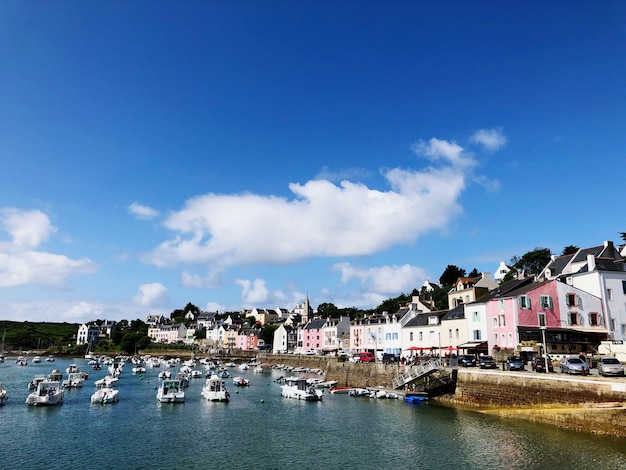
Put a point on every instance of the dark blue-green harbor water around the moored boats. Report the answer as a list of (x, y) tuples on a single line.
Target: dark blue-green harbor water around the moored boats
[(260, 429)]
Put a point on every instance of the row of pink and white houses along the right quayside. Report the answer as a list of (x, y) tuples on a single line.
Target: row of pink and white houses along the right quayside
[(576, 302)]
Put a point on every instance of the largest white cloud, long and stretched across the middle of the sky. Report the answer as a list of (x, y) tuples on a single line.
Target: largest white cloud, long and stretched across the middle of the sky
[(323, 219)]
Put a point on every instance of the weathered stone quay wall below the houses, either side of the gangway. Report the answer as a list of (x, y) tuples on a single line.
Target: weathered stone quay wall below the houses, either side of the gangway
[(588, 404)]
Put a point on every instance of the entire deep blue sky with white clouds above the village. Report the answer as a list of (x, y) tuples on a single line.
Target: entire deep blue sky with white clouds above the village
[(239, 154)]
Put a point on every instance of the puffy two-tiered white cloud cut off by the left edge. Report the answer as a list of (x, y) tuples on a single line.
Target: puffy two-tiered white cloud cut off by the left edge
[(21, 265)]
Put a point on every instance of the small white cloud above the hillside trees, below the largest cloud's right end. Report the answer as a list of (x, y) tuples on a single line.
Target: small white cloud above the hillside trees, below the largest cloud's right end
[(383, 280)]
